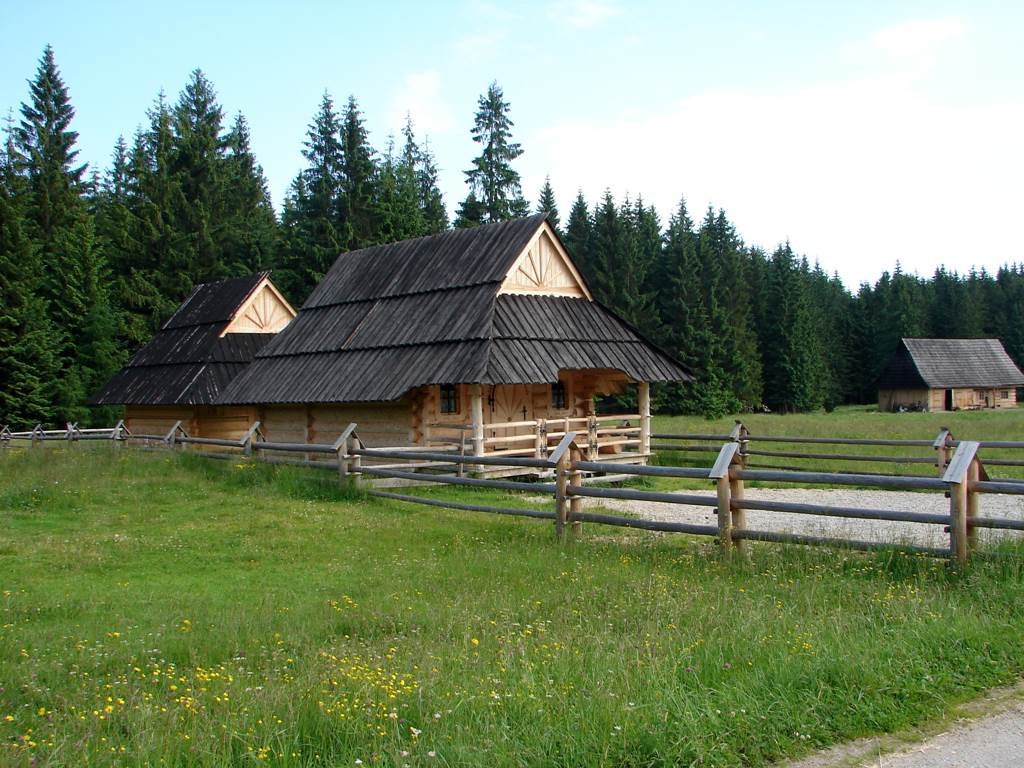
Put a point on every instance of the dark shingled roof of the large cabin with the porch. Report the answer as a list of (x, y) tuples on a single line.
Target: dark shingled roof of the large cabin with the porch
[(390, 319)]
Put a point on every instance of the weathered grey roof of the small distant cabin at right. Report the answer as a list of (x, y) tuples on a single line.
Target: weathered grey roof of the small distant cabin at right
[(949, 364)]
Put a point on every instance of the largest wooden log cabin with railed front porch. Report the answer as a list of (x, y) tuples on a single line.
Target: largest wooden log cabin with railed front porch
[(485, 338)]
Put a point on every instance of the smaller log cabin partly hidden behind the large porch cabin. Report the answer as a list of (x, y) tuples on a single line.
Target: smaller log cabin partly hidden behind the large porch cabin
[(211, 338)]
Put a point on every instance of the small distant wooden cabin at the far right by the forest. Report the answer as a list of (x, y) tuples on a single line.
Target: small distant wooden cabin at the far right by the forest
[(950, 375)]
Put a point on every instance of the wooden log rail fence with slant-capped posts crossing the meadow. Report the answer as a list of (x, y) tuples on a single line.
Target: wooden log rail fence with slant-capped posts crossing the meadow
[(963, 478)]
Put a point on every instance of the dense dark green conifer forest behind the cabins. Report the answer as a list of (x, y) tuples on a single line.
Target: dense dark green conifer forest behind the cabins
[(92, 264)]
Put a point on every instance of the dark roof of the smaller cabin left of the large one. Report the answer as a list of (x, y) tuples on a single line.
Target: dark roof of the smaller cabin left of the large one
[(189, 363)]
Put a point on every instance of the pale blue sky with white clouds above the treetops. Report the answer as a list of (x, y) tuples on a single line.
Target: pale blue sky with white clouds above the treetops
[(865, 134)]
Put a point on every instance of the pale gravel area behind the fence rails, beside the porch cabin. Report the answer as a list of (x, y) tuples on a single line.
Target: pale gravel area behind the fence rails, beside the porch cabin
[(871, 531)]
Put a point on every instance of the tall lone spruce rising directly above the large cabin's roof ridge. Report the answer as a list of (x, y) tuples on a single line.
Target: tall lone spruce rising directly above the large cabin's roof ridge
[(493, 182)]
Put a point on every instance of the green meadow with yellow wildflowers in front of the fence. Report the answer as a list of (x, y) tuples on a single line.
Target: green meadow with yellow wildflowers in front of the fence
[(160, 610)]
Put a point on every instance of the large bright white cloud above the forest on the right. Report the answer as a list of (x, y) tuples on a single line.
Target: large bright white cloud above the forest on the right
[(860, 174)]
